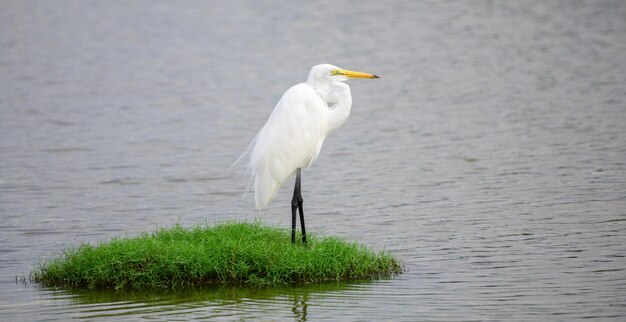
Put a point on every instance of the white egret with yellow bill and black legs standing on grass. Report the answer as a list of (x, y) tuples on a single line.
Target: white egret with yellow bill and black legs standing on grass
[(293, 135)]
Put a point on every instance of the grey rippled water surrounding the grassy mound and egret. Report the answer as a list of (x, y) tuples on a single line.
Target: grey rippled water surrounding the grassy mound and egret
[(490, 157)]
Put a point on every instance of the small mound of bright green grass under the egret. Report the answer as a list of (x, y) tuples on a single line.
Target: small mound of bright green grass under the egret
[(227, 253)]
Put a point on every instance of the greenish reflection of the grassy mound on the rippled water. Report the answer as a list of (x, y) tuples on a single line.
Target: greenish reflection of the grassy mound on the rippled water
[(199, 303)]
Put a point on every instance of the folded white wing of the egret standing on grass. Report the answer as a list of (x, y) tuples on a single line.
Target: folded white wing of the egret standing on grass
[(291, 138)]
